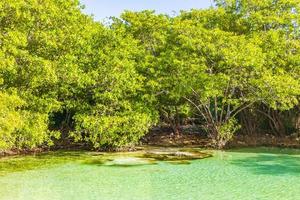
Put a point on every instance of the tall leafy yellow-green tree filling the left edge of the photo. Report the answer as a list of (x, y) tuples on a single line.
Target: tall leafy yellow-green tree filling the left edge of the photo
[(34, 37)]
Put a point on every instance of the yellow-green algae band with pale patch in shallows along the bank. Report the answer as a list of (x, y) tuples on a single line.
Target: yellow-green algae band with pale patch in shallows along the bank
[(125, 159)]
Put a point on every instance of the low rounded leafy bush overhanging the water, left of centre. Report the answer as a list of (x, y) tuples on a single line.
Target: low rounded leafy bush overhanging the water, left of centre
[(112, 131)]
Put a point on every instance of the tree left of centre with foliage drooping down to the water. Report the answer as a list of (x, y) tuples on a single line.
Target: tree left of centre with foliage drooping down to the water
[(109, 111)]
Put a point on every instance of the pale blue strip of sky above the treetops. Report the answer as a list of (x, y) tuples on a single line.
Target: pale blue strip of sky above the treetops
[(102, 9)]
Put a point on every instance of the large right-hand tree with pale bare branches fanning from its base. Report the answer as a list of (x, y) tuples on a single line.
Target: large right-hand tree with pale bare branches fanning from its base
[(236, 65)]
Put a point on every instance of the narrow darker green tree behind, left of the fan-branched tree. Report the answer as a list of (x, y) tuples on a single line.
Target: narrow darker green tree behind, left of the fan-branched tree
[(153, 33)]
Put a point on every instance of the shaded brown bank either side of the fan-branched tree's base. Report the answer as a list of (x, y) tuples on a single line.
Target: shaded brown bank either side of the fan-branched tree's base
[(164, 137)]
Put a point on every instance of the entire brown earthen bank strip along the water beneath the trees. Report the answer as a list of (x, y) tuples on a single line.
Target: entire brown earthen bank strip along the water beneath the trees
[(188, 138)]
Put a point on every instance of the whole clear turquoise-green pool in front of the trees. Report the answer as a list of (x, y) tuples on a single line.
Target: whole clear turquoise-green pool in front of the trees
[(158, 174)]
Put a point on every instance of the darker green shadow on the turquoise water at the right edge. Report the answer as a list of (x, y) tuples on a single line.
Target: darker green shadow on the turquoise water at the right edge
[(270, 164)]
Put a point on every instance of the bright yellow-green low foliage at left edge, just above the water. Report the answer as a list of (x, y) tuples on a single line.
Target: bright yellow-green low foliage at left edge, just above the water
[(21, 128)]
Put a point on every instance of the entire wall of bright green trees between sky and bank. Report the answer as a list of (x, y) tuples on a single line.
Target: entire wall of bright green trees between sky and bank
[(62, 72)]
